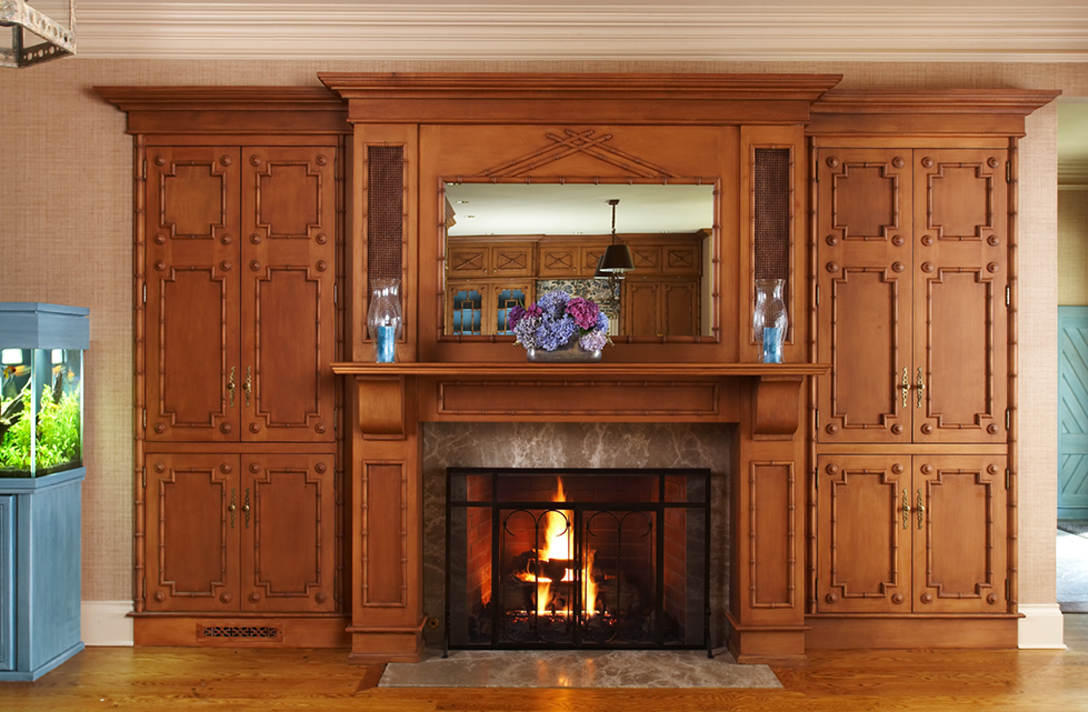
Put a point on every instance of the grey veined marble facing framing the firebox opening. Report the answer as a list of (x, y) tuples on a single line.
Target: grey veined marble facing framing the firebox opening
[(573, 445)]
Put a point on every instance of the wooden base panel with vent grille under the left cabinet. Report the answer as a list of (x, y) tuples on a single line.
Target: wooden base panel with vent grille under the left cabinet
[(242, 632)]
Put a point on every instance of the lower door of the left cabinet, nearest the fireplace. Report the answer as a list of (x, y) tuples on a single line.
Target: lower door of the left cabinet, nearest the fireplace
[(289, 535)]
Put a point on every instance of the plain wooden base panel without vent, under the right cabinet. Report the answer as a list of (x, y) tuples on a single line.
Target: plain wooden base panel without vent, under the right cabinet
[(911, 633)]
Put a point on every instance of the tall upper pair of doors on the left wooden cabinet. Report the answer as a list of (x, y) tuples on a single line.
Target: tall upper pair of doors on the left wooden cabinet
[(241, 271)]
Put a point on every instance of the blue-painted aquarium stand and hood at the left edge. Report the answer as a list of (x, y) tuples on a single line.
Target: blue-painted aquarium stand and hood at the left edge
[(41, 511)]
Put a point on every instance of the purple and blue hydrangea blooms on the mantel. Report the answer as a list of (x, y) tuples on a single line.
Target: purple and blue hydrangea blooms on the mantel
[(558, 320)]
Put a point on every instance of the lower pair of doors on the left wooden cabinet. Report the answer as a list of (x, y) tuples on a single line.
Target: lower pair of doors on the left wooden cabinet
[(241, 533)]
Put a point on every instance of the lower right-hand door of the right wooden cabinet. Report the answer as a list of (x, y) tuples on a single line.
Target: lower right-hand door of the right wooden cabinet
[(960, 536)]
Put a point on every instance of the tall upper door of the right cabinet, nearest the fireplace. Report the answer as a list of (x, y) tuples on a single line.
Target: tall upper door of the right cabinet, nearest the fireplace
[(864, 302)]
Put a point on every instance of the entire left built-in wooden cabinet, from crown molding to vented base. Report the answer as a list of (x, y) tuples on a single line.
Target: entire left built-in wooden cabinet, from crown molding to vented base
[(240, 293)]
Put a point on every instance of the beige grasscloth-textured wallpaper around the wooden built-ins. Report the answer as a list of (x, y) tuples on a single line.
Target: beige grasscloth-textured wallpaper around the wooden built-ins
[(66, 237)]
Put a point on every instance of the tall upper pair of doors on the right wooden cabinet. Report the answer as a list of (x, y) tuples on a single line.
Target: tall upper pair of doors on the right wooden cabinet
[(912, 269)]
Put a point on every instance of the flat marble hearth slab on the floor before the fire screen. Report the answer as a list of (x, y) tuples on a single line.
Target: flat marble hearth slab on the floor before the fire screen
[(616, 669)]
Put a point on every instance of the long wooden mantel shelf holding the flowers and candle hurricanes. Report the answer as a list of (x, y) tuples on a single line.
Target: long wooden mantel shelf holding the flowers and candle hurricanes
[(607, 371)]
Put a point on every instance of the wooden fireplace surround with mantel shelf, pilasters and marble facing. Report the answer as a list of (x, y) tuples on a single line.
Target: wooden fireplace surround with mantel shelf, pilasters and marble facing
[(741, 421)]
